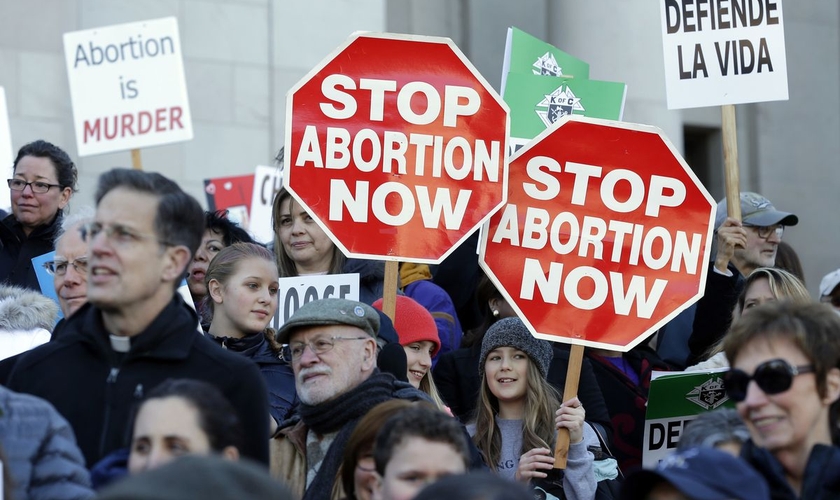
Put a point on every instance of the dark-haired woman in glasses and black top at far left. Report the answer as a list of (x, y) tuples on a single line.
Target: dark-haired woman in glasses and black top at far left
[(43, 180)]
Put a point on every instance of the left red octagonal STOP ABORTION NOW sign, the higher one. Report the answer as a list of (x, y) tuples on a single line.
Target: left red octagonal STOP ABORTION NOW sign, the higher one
[(396, 145)]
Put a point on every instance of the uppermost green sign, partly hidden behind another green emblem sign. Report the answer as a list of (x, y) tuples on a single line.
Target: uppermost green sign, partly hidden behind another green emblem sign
[(525, 54)]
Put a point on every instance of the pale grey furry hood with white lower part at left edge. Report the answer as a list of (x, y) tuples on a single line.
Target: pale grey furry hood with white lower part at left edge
[(26, 318)]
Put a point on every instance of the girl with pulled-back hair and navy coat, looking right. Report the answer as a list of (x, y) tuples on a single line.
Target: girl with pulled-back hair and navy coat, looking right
[(242, 295)]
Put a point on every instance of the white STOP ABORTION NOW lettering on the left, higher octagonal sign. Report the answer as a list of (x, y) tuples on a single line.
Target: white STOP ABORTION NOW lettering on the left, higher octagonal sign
[(420, 155)]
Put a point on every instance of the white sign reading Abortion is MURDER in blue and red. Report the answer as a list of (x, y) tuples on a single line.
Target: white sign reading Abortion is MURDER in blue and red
[(127, 86)]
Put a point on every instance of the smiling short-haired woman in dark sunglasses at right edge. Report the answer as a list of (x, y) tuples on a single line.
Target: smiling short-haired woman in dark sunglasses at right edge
[(785, 380)]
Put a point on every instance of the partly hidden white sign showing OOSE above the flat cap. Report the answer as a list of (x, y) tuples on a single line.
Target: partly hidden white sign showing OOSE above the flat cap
[(299, 290)]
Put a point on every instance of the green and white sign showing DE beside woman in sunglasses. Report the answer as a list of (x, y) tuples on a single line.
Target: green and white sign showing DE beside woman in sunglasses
[(675, 399)]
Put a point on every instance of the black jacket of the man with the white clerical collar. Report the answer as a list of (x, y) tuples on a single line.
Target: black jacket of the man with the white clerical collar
[(97, 389)]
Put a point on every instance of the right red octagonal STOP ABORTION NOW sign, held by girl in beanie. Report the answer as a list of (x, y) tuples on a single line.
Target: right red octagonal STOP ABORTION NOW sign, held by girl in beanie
[(605, 234)]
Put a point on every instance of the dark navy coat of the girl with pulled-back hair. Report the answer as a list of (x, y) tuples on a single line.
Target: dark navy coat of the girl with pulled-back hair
[(278, 375)]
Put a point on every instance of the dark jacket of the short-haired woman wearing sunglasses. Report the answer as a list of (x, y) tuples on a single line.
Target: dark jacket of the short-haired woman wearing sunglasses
[(822, 472)]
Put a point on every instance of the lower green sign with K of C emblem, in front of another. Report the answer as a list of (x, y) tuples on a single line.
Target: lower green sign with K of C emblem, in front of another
[(536, 102)]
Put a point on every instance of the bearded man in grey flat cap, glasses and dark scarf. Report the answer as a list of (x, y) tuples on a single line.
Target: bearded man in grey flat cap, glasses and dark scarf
[(331, 345)]
